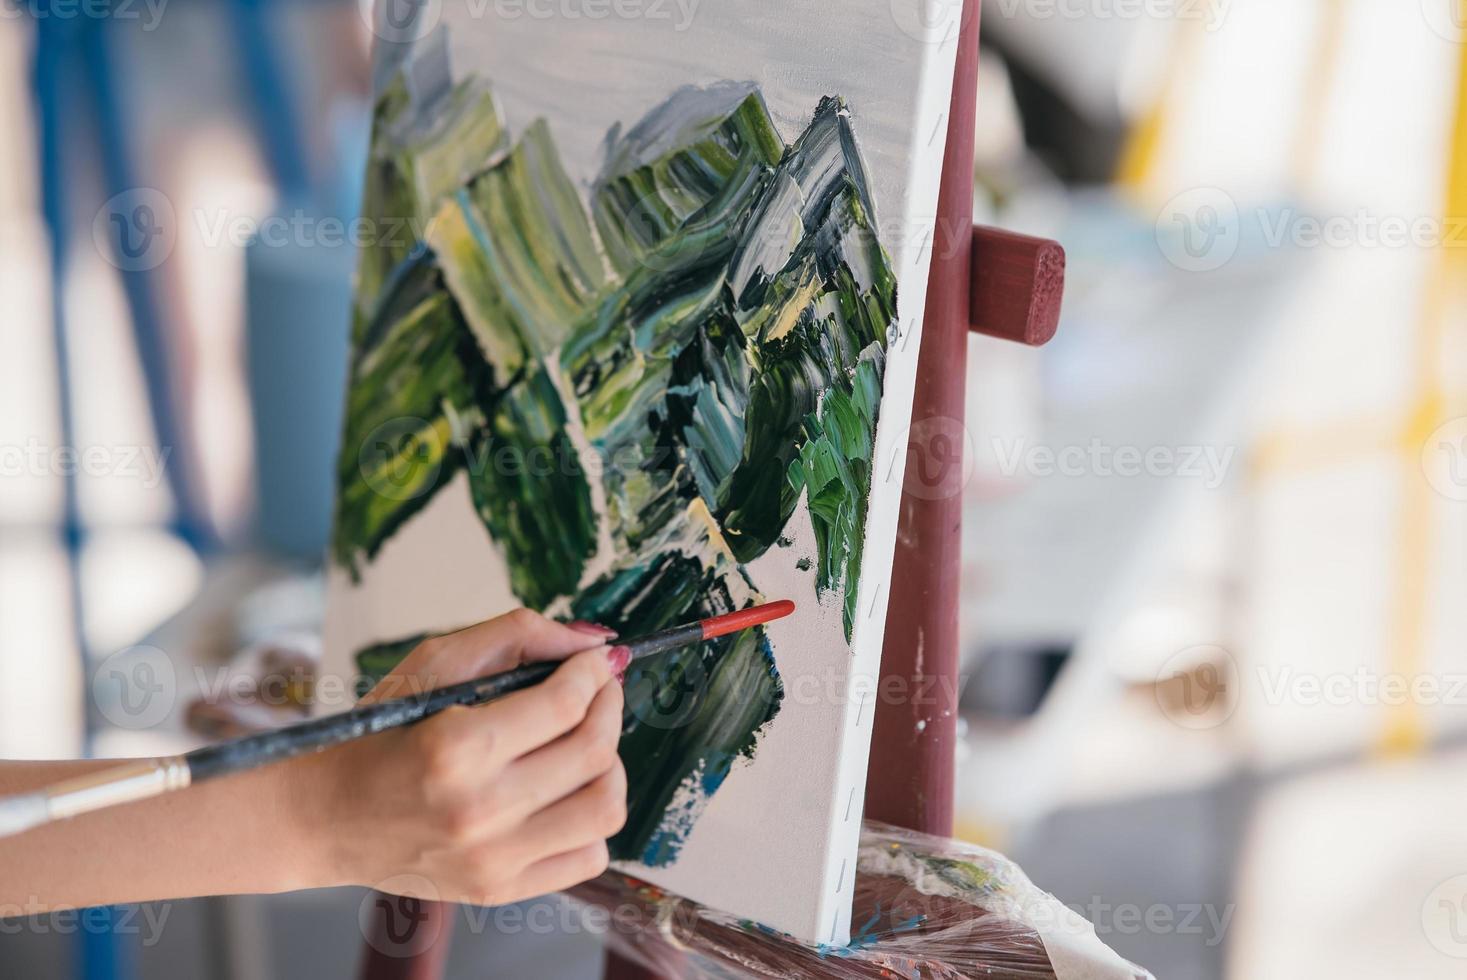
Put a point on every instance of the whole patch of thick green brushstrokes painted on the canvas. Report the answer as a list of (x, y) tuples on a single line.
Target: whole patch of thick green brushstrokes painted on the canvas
[(728, 366)]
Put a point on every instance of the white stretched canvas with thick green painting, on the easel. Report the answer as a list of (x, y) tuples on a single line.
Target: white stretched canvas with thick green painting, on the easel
[(634, 343)]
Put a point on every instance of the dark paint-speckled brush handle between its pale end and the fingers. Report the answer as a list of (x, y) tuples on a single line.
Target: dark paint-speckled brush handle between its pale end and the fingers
[(325, 733)]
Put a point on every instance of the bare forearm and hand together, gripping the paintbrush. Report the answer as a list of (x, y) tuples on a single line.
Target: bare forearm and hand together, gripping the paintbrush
[(486, 805)]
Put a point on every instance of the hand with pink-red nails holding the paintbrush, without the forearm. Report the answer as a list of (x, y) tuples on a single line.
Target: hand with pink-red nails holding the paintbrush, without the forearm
[(488, 805)]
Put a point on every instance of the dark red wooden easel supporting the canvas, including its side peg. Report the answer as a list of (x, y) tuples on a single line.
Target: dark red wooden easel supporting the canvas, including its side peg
[(987, 281)]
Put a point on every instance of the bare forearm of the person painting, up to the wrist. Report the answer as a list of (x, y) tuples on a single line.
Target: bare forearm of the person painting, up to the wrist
[(255, 833)]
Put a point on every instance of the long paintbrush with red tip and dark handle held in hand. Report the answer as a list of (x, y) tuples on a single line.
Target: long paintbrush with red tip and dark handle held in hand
[(144, 778)]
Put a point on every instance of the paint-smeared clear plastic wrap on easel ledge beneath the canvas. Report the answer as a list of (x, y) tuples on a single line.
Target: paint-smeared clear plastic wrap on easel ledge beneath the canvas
[(925, 909)]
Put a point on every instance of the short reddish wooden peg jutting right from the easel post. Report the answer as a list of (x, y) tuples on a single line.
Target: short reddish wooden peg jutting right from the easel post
[(1017, 287)]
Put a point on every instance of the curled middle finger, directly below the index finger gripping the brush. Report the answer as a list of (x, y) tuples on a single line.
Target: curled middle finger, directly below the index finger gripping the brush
[(546, 775)]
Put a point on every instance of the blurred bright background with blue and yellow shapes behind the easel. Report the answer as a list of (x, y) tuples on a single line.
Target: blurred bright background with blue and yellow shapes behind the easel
[(1215, 680)]
